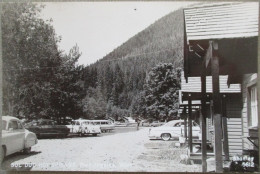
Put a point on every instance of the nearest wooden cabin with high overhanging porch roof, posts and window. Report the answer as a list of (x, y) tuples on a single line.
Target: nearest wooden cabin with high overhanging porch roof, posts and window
[(221, 39)]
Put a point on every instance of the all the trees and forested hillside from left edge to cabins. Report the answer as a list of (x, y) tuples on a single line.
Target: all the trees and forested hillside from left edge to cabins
[(140, 78)]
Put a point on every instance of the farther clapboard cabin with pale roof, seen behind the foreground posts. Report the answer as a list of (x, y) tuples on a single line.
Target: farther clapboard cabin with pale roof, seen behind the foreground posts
[(233, 108)]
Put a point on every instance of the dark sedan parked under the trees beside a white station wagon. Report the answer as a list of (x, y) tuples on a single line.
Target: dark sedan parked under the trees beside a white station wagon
[(47, 128)]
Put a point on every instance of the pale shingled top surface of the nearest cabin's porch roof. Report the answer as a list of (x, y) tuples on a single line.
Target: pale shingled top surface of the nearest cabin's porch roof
[(223, 20)]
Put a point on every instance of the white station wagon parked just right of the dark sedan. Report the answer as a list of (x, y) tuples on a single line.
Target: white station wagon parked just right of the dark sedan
[(84, 127)]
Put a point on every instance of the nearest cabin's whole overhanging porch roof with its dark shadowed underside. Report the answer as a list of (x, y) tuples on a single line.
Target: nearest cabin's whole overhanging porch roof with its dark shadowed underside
[(234, 26)]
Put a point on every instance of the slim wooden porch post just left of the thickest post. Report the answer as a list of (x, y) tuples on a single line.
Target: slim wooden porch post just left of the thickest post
[(203, 117)]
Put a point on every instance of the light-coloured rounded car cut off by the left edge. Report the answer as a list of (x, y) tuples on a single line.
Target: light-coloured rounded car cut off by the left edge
[(15, 137)]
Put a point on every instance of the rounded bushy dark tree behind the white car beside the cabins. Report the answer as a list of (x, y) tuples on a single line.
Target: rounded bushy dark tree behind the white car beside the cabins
[(161, 91)]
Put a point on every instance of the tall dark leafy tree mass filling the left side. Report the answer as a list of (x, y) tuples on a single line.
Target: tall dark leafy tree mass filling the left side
[(38, 80)]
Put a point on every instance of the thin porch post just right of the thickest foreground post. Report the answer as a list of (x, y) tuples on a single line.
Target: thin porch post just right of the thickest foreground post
[(225, 130)]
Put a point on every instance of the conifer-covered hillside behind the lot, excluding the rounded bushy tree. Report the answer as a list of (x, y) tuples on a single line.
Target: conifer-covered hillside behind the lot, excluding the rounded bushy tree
[(119, 77)]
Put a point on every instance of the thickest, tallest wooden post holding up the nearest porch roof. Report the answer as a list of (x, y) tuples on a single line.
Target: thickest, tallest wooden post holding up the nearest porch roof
[(217, 109)]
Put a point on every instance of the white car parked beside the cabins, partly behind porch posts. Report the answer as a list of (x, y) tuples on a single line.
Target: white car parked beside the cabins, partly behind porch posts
[(172, 130)]
